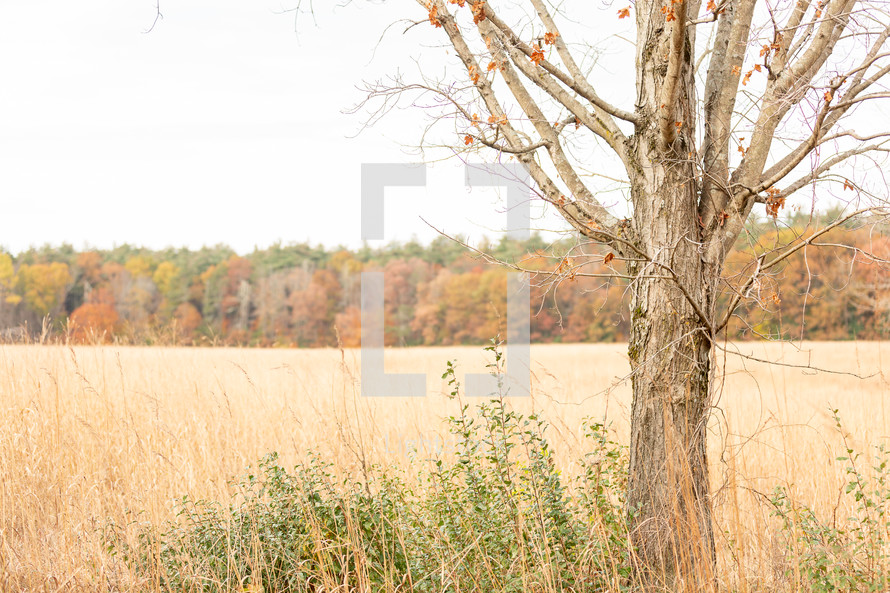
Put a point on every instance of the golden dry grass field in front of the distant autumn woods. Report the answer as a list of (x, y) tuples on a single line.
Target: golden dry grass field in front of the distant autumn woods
[(89, 434)]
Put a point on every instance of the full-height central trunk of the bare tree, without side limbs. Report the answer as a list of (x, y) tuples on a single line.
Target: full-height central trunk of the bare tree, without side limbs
[(669, 505)]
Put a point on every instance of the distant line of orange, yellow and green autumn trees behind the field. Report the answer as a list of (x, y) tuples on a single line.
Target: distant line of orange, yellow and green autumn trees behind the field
[(437, 294)]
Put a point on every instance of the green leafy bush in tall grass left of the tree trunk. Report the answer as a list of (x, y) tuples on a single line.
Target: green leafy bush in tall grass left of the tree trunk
[(496, 517)]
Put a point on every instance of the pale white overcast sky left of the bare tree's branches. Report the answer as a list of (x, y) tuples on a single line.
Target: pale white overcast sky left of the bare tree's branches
[(221, 125)]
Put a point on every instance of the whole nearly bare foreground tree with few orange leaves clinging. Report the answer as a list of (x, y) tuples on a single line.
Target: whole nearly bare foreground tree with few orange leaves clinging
[(756, 112)]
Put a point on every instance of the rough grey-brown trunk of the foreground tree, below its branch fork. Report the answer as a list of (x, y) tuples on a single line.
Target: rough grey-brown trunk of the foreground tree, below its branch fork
[(670, 352)]
